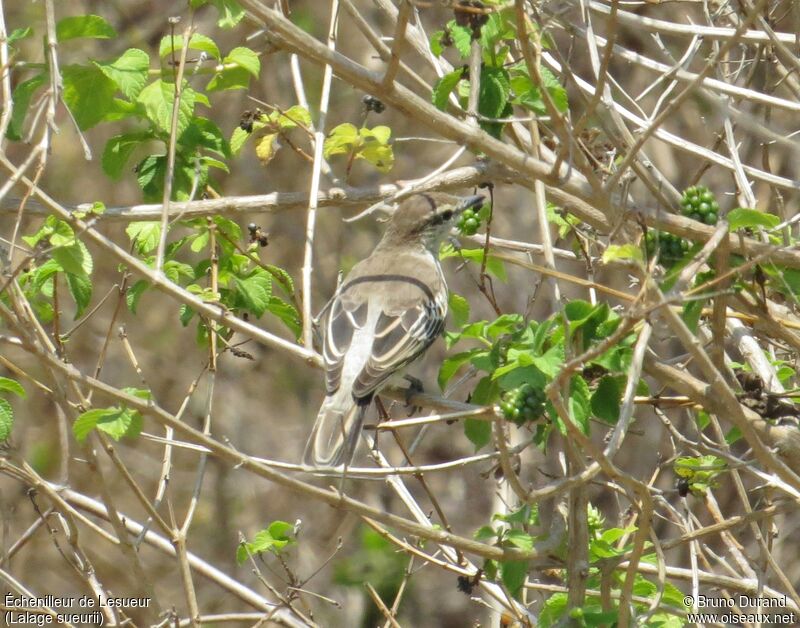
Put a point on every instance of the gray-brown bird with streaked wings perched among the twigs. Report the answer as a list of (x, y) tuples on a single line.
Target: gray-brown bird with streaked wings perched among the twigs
[(385, 314)]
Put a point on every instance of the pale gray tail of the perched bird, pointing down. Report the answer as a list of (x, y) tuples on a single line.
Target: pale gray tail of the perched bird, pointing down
[(335, 435)]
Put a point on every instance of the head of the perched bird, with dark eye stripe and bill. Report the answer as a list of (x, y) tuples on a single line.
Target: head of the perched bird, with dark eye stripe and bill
[(427, 218)]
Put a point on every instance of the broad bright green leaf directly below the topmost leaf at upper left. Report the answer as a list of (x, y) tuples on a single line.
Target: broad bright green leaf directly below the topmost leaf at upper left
[(88, 93)]
